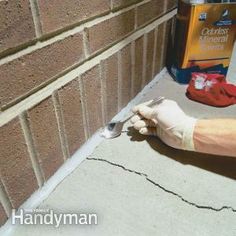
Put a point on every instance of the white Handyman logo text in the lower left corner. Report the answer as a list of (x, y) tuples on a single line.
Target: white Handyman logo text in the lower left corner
[(49, 217)]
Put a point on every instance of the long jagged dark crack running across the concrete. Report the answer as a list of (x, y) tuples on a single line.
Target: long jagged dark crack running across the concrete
[(163, 188)]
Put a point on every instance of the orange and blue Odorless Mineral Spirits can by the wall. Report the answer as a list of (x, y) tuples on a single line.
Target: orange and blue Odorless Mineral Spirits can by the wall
[(204, 38)]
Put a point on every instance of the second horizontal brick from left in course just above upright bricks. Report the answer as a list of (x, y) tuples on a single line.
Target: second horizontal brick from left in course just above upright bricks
[(110, 31)]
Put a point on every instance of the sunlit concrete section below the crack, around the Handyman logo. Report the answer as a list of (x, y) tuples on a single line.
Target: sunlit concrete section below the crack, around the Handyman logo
[(129, 203)]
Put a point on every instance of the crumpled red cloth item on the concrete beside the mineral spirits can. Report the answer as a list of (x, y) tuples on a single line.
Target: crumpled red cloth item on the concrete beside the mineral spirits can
[(211, 89)]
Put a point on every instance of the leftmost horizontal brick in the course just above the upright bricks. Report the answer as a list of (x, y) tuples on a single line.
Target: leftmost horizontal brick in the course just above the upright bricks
[(23, 75)]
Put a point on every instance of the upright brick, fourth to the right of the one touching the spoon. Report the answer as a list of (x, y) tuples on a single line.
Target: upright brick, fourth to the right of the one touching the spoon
[(159, 48)]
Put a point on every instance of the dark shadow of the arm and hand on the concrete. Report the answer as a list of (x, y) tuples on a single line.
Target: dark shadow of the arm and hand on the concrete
[(221, 165)]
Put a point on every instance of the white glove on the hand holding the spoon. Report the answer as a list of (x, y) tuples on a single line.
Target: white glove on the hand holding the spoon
[(166, 121)]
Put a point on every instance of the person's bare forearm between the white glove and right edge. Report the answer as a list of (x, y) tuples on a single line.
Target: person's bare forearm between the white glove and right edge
[(217, 136)]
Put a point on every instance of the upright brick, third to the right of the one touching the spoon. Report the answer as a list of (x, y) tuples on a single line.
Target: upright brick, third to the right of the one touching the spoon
[(149, 56)]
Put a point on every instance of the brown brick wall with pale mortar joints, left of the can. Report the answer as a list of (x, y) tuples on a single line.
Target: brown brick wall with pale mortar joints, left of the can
[(66, 68)]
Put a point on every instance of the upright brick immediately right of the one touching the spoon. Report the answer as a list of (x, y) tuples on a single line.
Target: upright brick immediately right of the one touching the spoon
[(125, 73)]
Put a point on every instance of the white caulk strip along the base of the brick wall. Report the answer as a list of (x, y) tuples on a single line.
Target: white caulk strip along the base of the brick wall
[(79, 156)]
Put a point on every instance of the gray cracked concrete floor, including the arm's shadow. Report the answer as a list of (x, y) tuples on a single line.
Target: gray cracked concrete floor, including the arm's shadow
[(139, 186)]
